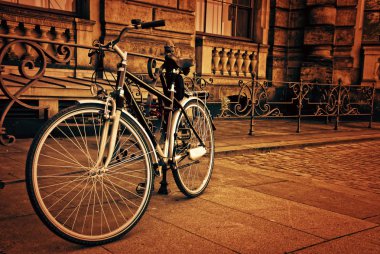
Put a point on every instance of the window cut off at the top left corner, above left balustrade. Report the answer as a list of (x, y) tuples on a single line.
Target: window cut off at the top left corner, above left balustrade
[(61, 5)]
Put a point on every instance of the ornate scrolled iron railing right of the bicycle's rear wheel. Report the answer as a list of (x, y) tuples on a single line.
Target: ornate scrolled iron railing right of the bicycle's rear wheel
[(273, 99)]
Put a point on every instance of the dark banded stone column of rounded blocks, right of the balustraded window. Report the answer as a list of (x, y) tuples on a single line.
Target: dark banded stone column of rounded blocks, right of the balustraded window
[(319, 40)]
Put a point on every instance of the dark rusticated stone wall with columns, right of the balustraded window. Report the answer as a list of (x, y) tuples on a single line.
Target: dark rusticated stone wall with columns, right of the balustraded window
[(323, 40)]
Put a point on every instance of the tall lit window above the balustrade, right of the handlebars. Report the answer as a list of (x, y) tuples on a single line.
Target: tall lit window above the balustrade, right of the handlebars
[(224, 17)]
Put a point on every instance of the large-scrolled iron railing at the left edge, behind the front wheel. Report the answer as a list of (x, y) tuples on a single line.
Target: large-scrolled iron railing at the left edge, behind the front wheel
[(33, 58)]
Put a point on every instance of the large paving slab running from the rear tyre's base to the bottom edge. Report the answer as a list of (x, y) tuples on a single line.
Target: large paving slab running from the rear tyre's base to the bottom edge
[(239, 231)]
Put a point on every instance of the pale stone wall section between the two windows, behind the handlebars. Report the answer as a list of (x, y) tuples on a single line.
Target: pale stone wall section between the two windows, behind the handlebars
[(179, 29)]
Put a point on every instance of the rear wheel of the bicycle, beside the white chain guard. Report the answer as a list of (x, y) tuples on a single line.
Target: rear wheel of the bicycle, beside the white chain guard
[(193, 176)]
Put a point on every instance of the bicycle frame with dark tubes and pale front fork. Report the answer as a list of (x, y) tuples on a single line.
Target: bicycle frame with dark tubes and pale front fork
[(123, 93)]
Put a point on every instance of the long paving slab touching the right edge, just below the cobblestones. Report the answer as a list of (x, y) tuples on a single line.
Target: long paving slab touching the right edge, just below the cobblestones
[(322, 198)]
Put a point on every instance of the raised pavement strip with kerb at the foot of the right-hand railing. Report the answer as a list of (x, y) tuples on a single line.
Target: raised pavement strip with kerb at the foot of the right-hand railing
[(232, 135)]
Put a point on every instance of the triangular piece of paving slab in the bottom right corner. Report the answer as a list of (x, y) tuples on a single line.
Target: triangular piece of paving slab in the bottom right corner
[(367, 242)]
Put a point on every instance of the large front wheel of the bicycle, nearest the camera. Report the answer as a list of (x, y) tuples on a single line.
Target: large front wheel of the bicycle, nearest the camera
[(70, 189)]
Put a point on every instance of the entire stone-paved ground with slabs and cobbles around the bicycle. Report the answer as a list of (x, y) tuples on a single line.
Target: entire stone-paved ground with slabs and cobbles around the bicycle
[(275, 192)]
